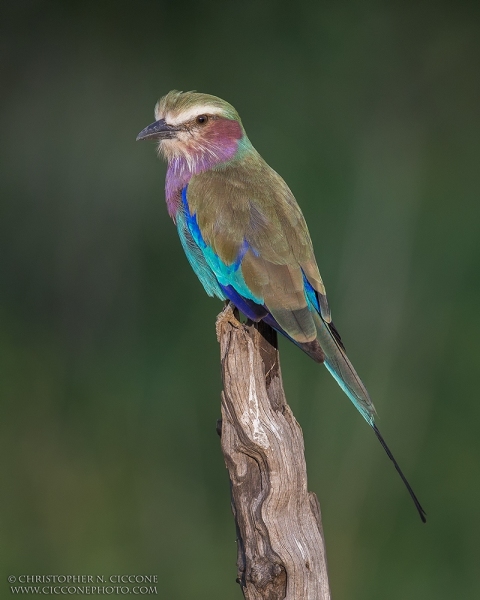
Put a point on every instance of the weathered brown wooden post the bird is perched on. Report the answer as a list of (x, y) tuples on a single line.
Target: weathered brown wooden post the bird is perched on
[(281, 548)]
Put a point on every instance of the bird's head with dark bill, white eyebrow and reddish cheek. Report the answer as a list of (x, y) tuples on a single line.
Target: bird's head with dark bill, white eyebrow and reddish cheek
[(202, 129)]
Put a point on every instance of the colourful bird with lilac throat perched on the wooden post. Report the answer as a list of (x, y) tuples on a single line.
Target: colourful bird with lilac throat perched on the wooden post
[(245, 235)]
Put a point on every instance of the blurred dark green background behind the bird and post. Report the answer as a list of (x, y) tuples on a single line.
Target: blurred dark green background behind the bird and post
[(109, 367)]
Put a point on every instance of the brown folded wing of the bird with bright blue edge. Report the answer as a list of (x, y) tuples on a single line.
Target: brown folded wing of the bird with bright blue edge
[(254, 238)]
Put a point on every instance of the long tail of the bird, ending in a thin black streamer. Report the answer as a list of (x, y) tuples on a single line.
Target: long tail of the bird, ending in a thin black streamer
[(345, 375)]
